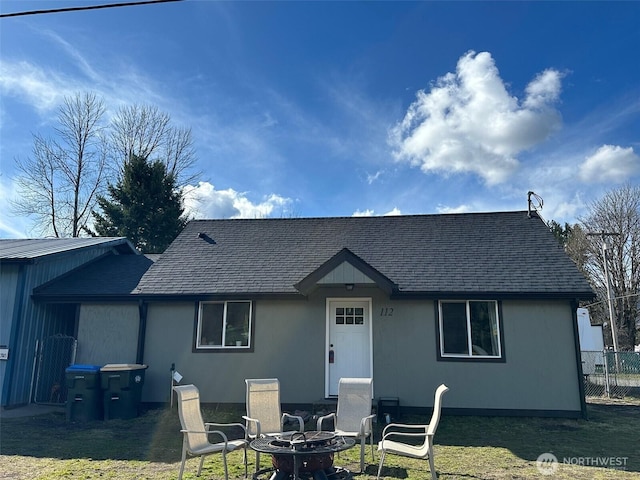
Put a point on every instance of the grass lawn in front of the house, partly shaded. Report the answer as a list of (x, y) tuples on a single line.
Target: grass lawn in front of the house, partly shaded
[(148, 447)]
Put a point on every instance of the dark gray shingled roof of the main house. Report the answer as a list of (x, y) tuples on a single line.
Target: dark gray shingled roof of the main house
[(499, 254)]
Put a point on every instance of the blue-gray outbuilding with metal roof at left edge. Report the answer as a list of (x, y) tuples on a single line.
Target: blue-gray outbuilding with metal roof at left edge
[(37, 340)]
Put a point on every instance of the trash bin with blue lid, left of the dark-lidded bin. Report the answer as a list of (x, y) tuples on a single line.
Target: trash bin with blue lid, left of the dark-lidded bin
[(84, 395)]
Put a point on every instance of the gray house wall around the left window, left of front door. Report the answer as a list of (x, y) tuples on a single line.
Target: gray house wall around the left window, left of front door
[(285, 333)]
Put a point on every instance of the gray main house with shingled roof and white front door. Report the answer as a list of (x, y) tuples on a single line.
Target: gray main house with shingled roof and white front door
[(484, 302)]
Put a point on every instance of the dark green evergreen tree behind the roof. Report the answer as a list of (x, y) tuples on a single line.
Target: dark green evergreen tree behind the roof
[(145, 206)]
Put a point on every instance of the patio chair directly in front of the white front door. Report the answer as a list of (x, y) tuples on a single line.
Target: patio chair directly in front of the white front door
[(353, 417)]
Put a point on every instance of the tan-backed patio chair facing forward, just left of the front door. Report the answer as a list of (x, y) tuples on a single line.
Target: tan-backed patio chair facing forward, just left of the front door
[(264, 416)]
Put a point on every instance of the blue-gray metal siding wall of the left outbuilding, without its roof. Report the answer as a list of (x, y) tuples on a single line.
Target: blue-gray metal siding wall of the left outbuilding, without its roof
[(31, 322)]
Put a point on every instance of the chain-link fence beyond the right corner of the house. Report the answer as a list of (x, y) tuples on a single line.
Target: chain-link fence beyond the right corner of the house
[(611, 374)]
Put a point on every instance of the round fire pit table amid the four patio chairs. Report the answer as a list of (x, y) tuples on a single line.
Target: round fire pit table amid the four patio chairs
[(303, 455)]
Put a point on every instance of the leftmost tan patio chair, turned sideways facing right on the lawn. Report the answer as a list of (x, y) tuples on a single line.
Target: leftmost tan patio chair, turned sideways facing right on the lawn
[(195, 440)]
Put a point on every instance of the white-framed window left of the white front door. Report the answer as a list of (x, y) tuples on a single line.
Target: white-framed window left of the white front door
[(224, 325)]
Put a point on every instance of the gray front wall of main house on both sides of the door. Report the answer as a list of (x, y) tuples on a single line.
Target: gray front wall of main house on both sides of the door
[(540, 371)]
